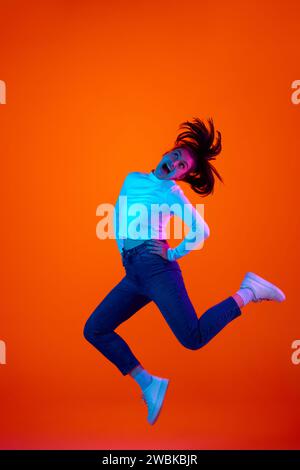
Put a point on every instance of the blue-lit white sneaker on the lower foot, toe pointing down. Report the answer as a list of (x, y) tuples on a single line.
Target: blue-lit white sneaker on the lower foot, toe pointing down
[(154, 396)]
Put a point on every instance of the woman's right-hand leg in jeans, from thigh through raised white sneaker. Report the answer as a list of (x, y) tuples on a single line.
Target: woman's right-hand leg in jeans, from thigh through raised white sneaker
[(178, 311)]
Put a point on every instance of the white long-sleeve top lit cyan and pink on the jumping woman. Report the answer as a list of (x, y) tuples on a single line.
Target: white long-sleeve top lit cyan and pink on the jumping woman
[(144, 207)]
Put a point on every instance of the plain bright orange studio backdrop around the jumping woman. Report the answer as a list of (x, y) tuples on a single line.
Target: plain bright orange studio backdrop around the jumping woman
[(98, 89)]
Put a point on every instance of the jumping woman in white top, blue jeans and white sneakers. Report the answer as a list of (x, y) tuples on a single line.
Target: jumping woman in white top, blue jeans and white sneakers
[(151, 269)]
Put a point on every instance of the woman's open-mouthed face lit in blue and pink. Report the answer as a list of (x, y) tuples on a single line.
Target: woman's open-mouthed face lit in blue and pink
[(175, 164)]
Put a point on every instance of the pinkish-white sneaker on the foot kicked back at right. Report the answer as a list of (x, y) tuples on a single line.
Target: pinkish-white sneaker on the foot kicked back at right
[(262, 289)]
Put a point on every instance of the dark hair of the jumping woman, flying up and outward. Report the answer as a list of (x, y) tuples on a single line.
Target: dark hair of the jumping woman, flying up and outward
[(204, 143)]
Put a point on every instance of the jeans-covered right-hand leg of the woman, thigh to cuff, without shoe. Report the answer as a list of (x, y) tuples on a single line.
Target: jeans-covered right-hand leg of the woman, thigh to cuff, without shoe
[(174, 303)]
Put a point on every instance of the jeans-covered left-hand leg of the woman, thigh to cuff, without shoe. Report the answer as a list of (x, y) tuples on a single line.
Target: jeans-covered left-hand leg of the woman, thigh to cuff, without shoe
[(118, 306)]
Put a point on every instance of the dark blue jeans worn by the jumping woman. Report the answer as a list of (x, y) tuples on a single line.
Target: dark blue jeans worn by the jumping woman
[(149, 277)]
